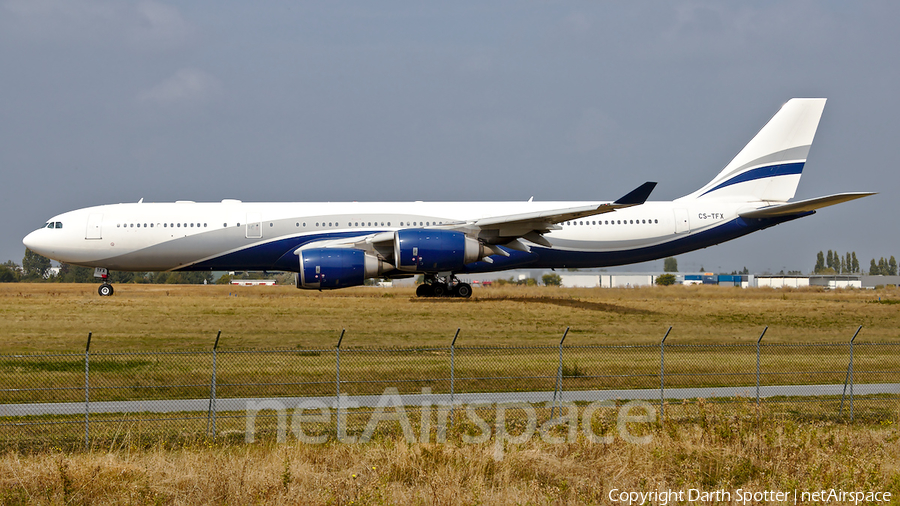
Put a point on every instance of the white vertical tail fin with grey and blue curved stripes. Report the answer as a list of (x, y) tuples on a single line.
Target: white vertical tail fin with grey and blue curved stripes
[(770, 165)]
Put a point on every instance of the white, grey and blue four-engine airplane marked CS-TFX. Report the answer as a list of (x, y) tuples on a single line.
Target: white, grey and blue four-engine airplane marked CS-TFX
[(338, 245)]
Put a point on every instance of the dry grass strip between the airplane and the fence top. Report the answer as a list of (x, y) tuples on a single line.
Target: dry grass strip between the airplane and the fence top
[(57, 317)]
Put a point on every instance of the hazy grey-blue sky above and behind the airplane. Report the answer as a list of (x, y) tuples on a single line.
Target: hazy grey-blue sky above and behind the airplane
[(108, 101)]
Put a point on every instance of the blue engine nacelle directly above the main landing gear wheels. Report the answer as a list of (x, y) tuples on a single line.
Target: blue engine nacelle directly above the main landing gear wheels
[(424, 250)]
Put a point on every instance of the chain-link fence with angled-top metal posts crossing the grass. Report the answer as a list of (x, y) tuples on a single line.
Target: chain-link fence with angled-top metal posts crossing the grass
[(65, 397)]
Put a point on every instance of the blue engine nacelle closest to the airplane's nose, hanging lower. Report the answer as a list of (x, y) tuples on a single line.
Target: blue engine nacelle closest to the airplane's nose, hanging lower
[(328, 268)]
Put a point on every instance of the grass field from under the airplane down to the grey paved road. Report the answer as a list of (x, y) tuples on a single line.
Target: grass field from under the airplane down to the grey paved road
[(47, 319)]
